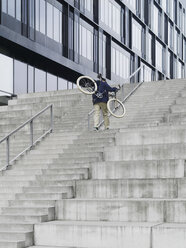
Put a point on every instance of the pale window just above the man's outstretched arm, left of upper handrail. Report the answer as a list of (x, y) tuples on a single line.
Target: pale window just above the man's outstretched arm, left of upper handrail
[(120, 61)]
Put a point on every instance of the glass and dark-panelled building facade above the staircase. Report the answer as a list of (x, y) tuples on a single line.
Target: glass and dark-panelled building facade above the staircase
[(46, 44)]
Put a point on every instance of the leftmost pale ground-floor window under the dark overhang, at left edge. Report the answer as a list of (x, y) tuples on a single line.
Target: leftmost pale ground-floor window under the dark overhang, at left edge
[(6, 72)]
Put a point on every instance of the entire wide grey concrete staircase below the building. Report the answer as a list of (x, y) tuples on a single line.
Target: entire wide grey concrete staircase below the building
[(125, 186)]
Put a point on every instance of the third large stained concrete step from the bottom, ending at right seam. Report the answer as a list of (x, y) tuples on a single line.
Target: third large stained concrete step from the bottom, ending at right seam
[(128, 188)]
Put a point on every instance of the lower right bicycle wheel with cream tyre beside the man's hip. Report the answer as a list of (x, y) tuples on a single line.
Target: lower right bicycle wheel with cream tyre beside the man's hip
[(116, 108)]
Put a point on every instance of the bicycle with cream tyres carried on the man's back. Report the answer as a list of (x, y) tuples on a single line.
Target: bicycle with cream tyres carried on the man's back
[(88, 86)]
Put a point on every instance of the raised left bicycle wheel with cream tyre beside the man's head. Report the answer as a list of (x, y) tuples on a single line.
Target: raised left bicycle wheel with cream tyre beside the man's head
[(86, 85)]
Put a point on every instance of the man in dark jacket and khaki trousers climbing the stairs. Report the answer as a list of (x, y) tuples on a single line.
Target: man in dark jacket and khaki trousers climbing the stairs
[(100, 99)]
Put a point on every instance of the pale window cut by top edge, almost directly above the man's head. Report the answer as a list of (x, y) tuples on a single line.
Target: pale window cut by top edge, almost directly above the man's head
[(110, 15)]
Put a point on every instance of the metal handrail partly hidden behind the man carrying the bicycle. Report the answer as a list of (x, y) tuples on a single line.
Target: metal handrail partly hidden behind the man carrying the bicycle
[(122, 88)]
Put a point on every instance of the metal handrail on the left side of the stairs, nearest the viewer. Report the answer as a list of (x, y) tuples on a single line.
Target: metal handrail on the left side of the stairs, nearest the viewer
[(32, 142)]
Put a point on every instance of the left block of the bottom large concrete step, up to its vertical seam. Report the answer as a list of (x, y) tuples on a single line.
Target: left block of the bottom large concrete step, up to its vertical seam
[(98, 234)]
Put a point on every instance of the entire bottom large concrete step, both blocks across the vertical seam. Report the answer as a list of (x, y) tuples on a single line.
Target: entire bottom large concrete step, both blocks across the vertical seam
[(110, 234)]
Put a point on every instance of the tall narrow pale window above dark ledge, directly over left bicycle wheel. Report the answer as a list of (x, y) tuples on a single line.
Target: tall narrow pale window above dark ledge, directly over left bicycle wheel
[(86, 40)]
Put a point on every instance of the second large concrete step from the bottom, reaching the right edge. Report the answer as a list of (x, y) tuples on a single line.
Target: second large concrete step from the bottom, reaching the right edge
[(129, 210)]
